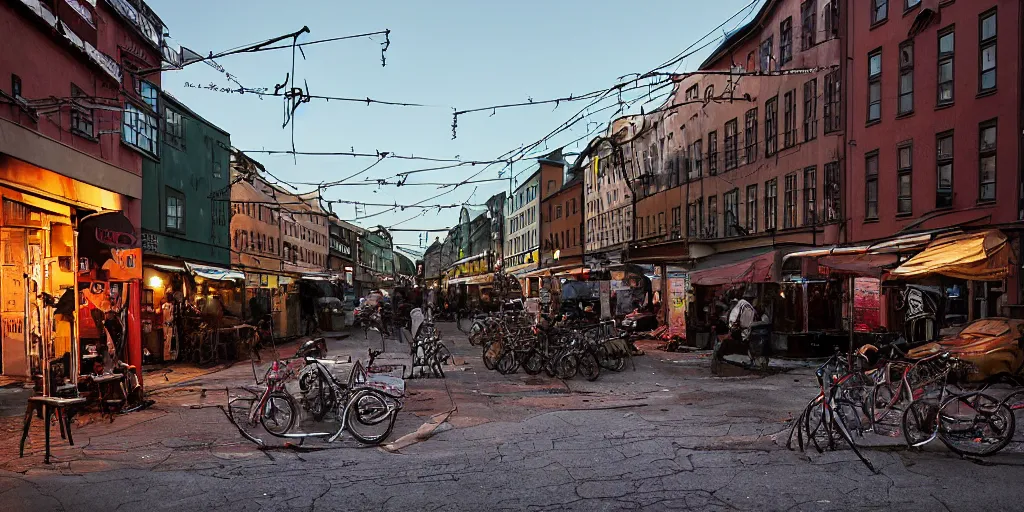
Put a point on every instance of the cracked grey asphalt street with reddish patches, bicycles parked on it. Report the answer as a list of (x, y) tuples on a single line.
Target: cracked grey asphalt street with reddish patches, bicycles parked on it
[(667, 437)]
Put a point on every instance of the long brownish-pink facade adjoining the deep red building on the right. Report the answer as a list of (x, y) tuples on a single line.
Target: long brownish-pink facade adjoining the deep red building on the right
[(747, 154)]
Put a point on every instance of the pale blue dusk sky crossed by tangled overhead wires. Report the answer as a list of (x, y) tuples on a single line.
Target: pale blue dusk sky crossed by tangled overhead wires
[(446, 55)]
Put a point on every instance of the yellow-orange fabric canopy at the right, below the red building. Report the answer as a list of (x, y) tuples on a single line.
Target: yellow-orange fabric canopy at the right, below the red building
[(976, 257)]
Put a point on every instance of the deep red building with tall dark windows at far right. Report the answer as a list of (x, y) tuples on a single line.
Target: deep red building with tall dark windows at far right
[(934, 125)]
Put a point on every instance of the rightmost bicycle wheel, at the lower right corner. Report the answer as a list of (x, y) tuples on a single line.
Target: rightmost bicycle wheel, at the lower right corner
[(976, 424)]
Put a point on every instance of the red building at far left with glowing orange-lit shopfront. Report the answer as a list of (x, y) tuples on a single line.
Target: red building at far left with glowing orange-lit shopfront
[(79, 112)]
